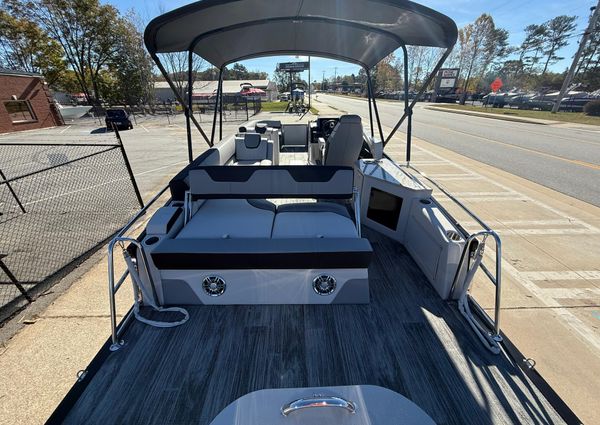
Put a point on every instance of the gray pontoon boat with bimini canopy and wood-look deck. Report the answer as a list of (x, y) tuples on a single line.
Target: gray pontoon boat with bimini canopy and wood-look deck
[(297, 274)]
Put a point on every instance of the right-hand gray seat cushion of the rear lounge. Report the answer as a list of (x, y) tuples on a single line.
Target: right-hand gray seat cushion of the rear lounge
[(312, 225)]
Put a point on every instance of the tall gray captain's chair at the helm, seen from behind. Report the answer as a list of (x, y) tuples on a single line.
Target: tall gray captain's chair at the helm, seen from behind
[(345, 142)]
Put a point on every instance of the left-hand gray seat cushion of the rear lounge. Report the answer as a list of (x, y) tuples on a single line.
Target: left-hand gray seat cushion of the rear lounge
[(229, 218)]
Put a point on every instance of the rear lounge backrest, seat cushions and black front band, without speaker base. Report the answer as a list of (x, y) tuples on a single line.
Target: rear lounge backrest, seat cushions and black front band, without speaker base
[(233, 218)]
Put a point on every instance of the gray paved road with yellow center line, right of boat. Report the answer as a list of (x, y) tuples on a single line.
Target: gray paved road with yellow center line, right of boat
[(564, 159)]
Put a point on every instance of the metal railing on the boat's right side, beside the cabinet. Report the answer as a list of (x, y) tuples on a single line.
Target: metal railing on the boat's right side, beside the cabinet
[(490, 335)]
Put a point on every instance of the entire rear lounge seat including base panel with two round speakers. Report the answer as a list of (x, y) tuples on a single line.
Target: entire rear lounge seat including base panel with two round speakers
[(293, 251)]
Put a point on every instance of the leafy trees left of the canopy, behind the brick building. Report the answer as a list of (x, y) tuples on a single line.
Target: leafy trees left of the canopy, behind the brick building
[(84, 46)]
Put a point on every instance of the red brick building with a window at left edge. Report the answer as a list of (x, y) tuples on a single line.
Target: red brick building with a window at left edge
[(25, 102)]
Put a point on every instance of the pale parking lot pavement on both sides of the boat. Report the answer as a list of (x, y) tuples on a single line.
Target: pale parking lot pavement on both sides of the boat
[(551, 254)]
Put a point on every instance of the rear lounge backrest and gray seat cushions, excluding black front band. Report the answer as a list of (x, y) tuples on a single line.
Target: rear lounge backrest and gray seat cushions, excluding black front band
[(258, 218)]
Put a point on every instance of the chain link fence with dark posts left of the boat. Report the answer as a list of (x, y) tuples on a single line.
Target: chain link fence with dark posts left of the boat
[(57, 203)]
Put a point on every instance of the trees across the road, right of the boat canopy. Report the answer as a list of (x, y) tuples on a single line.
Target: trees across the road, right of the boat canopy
[(483, 53)]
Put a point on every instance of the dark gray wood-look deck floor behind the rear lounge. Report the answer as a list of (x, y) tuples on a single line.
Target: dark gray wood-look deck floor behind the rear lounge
[(406, 339)]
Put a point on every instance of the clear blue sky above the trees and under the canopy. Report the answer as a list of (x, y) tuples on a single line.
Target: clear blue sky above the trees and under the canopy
[(512, 15)]
